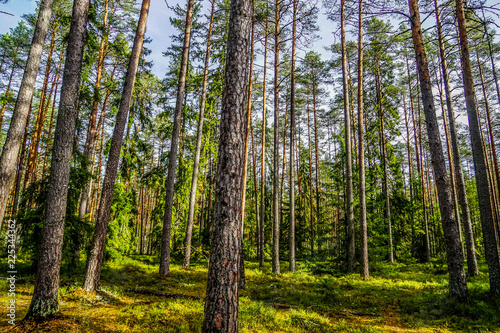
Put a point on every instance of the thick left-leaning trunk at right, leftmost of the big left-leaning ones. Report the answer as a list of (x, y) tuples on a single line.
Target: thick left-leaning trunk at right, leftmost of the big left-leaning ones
[(457, 282)]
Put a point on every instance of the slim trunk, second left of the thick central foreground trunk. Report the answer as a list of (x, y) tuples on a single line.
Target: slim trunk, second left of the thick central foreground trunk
[(172, 160)]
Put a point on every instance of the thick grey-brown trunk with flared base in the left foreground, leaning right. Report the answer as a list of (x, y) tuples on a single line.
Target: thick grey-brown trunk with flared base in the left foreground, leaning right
[(45, 295)]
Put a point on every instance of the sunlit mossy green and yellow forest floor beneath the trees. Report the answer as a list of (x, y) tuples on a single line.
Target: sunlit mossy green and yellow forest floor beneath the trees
[(397, 298)]
